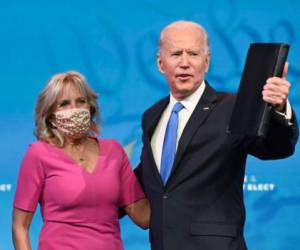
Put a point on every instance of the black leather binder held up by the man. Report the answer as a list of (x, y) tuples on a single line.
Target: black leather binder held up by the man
[(251, 115)]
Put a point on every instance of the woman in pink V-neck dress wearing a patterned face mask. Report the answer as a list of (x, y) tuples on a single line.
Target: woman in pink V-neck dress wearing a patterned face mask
[(79, 181)]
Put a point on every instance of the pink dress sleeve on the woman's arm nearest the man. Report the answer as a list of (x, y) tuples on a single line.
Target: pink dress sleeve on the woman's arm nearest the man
[(131, 190)]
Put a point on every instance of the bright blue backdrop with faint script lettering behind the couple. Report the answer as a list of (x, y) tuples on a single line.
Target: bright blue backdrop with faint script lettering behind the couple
[(113, 43)]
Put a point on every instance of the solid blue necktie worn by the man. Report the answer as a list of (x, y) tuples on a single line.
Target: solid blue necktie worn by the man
[(169, 146)]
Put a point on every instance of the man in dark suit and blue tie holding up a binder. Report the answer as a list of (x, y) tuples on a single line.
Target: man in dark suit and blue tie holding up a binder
[(193, 177)]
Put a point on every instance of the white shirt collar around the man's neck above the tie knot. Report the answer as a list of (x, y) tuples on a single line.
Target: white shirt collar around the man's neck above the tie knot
[(191, 101)]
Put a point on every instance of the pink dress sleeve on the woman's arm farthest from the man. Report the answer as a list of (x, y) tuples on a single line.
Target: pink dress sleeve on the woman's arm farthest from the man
[(30, 180)]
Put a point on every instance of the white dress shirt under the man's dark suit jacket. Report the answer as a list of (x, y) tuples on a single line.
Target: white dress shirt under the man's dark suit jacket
[(184, 115)]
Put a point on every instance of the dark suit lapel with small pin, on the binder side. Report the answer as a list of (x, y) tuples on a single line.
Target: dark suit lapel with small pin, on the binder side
[(201, 112)]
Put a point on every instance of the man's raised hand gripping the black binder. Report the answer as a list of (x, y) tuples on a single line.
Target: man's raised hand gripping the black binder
[(276, 90)]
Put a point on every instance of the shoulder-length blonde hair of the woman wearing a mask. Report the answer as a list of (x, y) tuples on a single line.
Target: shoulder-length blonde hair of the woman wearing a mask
[(47, 100)]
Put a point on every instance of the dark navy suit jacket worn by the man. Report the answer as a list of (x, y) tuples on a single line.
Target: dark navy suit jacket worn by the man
[(201, 206)]
